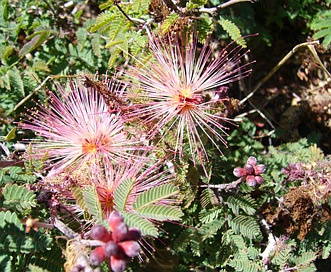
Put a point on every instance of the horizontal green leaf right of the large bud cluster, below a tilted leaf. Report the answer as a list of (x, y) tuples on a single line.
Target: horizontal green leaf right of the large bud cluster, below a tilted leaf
[(161, 212)]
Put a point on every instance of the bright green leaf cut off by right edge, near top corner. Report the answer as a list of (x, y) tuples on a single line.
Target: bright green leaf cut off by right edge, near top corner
[(321, 25)]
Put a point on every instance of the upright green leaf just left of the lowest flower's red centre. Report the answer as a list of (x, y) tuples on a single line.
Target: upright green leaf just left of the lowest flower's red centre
[(92, 202)]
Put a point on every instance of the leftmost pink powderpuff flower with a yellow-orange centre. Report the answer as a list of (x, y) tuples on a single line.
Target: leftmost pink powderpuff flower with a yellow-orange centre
[(76, 127)]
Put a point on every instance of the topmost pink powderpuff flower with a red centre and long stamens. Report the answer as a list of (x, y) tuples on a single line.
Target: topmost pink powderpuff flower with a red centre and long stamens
[(177, 85)]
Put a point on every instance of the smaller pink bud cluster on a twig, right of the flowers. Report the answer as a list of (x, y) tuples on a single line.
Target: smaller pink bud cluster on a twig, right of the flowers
[(251, 172)]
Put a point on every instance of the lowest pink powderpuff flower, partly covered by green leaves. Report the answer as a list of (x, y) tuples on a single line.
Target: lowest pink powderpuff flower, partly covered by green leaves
[(145, 174)]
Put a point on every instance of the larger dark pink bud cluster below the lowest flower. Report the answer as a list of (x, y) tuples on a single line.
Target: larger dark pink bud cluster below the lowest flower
[(120, 243)]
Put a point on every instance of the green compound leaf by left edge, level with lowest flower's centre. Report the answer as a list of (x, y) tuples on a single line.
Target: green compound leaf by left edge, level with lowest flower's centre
[(19, 198)]
